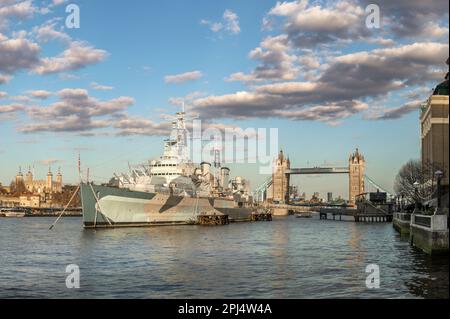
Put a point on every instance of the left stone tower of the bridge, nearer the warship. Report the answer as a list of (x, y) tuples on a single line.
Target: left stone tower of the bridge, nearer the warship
[(280, 186)]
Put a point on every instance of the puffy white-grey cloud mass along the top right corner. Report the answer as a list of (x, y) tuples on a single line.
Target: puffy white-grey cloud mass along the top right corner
[(309, 24)]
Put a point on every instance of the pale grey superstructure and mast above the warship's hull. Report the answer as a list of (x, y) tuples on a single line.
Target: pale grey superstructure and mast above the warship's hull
[(174, 171)]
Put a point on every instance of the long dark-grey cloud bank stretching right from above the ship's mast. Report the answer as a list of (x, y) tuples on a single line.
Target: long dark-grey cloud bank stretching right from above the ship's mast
[(337, 92)]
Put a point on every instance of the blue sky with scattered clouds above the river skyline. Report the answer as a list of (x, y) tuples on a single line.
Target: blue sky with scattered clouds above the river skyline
[(311, 69)]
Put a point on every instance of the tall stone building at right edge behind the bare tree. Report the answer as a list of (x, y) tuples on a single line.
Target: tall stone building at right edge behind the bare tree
[(434, 120)]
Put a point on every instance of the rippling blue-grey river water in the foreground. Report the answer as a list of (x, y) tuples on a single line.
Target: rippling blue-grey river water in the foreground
[(286, 258)]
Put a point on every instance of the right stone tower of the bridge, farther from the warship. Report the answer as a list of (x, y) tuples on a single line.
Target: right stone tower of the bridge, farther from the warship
[(357, 166)]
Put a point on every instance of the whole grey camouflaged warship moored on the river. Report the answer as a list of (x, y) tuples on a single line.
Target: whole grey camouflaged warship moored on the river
[(166, 191)]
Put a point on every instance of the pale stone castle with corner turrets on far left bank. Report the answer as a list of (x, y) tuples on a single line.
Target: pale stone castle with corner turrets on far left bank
[(47, 186)]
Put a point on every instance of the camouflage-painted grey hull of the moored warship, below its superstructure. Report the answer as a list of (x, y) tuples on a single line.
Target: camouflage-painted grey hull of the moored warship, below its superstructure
[(116, 207)]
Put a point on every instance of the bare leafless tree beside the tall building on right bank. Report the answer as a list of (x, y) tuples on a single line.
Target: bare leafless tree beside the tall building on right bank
[(414, 171)]
